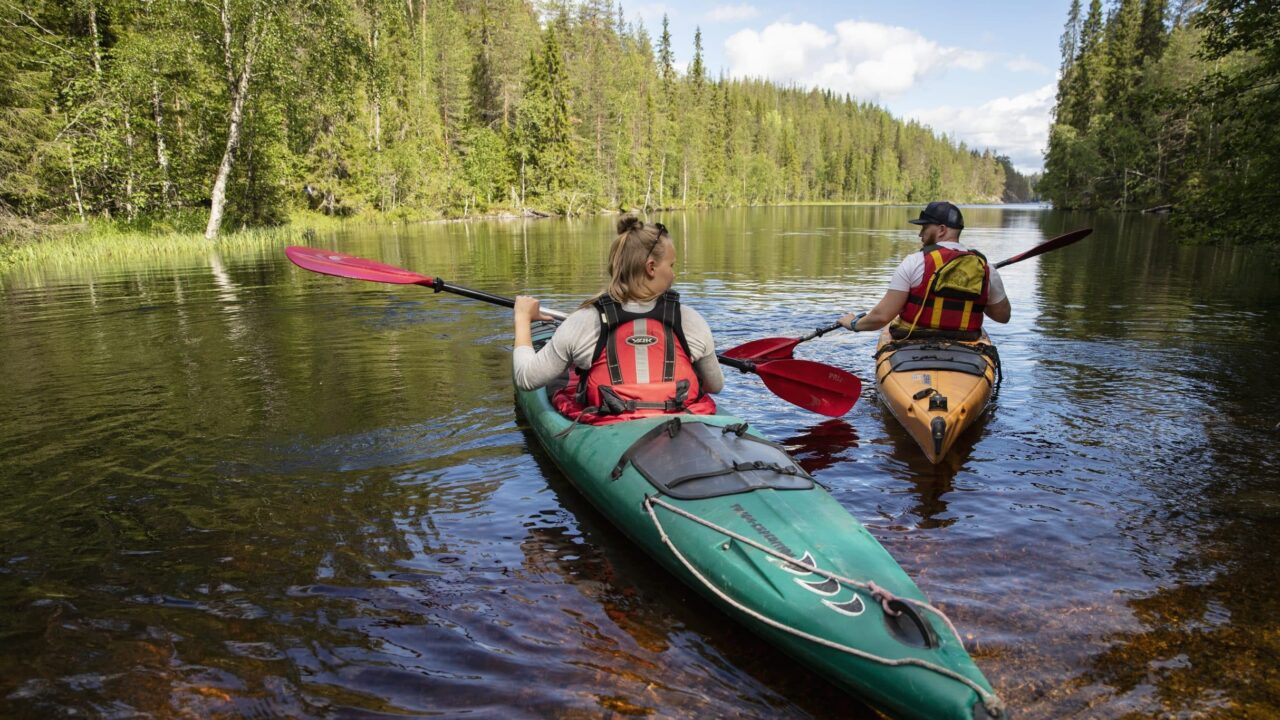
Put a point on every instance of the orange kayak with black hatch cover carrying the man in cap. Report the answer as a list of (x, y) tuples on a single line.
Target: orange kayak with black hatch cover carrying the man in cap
[(936, 388)]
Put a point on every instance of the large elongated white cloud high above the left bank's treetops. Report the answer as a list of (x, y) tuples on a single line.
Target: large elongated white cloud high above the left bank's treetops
[(870, 61)]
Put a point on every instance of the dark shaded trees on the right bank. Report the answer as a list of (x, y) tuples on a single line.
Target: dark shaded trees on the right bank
[(1171, 108)]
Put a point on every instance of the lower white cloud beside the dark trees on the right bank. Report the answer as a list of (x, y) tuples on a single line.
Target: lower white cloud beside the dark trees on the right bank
[(1011, 126)]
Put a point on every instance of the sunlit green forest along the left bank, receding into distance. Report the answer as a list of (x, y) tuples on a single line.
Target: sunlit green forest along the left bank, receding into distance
[(203, 116)]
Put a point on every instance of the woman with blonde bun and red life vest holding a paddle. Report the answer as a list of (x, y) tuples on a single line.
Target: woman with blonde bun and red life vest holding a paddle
[(634, 350)]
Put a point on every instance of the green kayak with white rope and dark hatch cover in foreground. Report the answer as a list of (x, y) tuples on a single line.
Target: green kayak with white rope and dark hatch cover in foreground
[(735, 518)]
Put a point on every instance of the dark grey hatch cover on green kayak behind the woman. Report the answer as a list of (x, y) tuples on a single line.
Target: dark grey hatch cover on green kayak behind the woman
[(692, 461)]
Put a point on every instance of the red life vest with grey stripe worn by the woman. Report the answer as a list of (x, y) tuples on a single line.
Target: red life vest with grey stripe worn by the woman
[(642, 368)]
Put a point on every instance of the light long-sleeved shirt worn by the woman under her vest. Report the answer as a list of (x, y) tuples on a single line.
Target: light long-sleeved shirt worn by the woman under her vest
[(575, 340)]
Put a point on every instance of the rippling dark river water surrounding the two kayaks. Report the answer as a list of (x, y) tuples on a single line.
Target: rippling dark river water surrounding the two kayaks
[(230, 487)]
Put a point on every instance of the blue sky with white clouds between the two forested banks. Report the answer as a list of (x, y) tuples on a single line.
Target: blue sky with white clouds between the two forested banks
[(982, 72)]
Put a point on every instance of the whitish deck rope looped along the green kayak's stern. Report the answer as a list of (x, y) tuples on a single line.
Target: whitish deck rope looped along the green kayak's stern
[(991, 701)]
